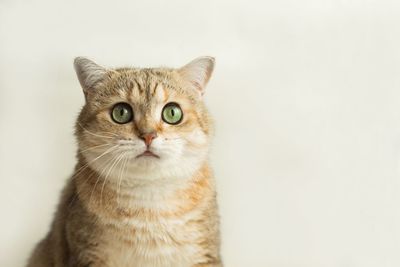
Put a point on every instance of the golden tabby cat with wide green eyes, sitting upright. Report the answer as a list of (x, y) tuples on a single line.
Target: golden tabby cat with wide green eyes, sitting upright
[(142, 193)]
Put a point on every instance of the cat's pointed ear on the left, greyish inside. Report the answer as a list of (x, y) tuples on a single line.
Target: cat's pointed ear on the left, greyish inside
[(88, 72)]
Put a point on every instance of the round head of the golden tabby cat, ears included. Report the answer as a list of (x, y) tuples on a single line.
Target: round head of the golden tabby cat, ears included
[(144, 123)]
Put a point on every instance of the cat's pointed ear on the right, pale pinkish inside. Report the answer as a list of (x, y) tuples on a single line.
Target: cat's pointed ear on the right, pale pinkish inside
[(198, 72)]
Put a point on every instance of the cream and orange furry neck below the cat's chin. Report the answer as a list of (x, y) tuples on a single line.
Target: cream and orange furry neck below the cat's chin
[(105, 195)]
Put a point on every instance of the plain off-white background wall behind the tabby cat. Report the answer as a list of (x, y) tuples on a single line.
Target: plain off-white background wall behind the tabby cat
[(306, 96)]
